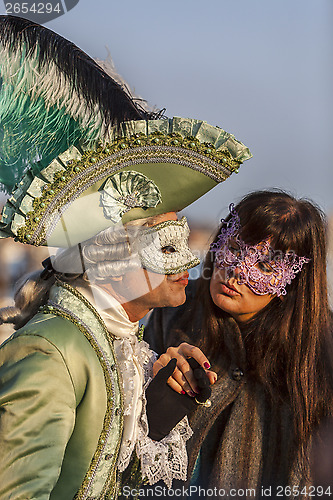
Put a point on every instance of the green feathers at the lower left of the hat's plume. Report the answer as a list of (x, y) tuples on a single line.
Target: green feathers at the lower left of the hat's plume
[(31, 130)]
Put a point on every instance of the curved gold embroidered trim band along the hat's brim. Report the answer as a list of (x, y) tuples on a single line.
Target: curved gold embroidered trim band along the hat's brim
[(79, 175)]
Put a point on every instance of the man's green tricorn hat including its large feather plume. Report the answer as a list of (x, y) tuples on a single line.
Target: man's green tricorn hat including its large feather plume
[(78, 153)]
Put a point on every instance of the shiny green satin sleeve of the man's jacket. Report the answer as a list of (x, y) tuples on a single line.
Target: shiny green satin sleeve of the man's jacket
[(37, 415)]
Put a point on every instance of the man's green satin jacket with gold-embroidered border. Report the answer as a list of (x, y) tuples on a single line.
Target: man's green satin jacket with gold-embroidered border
[(60, 405)]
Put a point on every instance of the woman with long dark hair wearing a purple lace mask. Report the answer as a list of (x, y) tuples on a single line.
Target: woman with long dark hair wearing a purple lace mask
[(260, 313)]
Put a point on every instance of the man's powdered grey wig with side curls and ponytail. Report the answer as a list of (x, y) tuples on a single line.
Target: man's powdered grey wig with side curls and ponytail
[(108, 254)]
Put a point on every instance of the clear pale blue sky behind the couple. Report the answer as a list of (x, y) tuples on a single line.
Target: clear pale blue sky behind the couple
[(260, 69)]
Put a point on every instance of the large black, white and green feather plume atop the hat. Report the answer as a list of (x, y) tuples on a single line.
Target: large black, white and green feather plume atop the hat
[(52, 95)]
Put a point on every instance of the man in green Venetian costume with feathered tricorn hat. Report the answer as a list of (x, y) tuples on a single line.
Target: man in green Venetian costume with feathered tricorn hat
[(90, 172)]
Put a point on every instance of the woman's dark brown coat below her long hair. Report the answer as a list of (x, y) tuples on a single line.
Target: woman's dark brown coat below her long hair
[(246, 440)]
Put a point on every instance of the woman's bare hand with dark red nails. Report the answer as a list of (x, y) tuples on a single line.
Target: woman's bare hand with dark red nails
[(183, 379)]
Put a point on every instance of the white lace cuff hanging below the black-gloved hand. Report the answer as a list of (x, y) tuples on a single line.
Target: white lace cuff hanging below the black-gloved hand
[(166, 459)]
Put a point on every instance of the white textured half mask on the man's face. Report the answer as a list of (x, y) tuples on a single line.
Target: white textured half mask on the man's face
[(163, 248)]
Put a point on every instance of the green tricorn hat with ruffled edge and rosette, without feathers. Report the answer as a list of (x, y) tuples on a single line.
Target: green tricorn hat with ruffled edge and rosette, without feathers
[(149, 168)]
